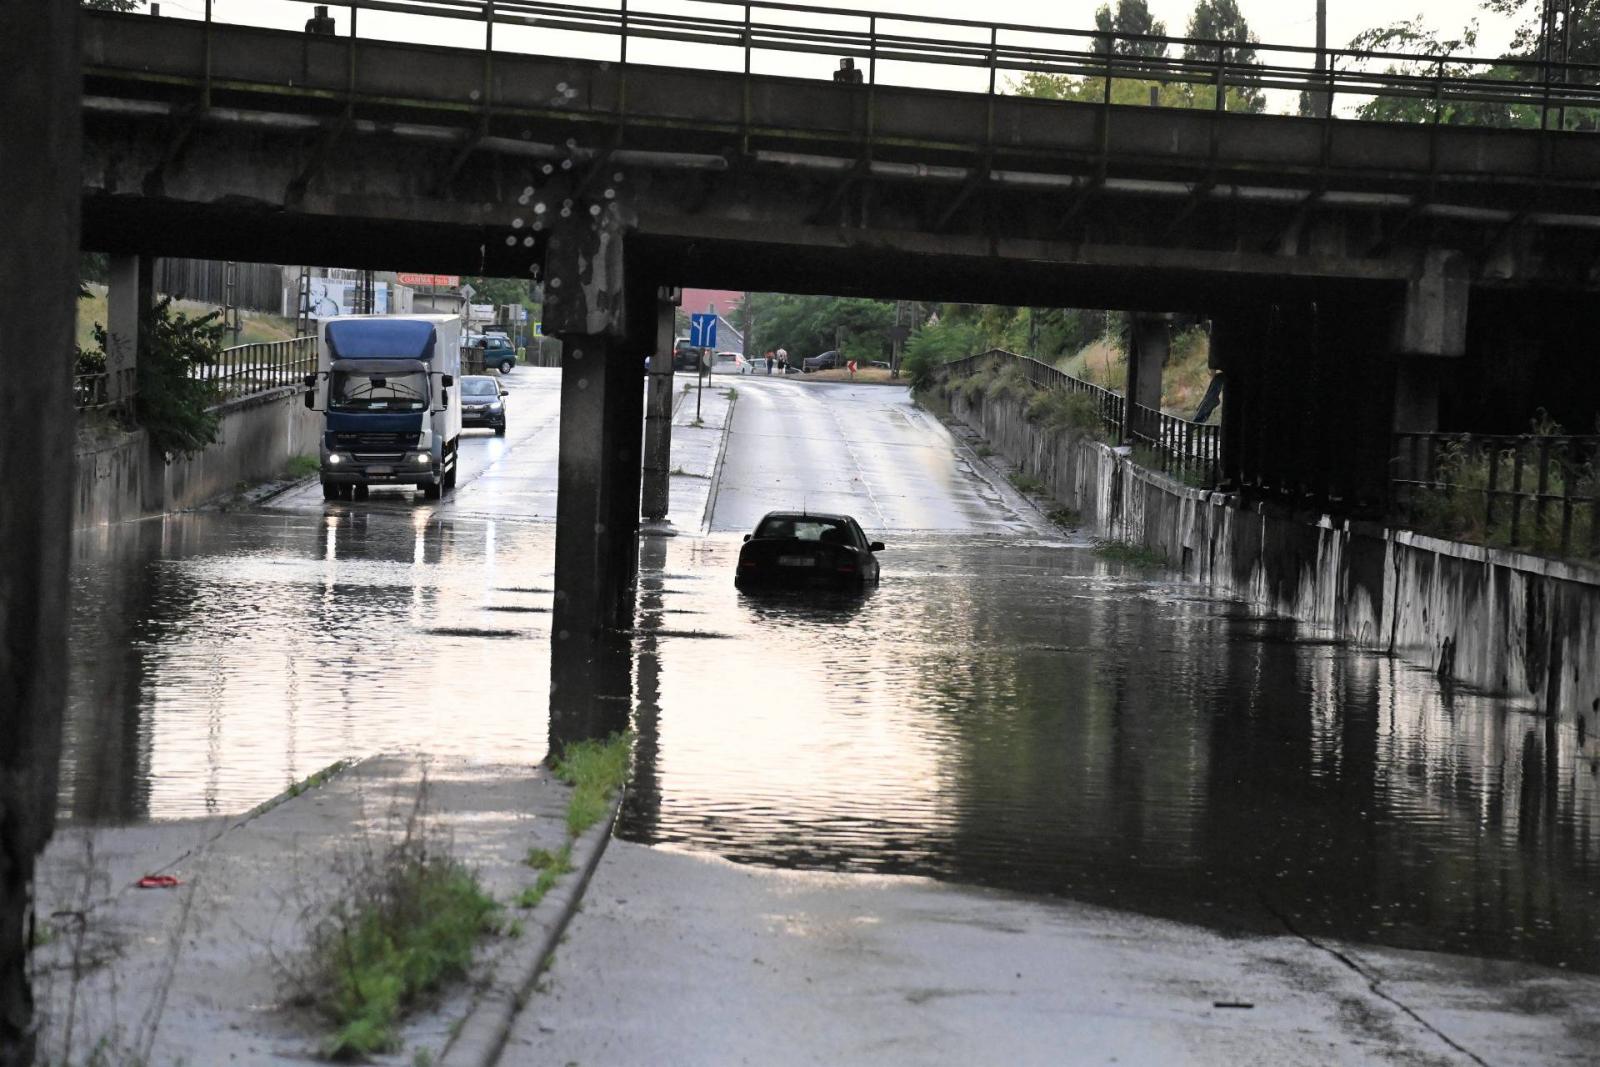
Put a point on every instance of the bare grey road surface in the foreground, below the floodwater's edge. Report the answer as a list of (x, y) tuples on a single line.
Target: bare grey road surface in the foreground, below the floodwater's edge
[(687, 959)]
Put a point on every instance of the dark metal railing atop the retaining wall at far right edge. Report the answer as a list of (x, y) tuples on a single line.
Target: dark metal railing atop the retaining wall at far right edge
[(1529, 492)]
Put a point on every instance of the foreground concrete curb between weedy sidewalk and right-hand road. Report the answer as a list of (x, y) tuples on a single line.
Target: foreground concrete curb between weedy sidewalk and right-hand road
[(481, 1039)]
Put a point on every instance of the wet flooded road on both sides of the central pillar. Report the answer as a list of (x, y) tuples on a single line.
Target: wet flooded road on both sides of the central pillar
[(1007, 709)]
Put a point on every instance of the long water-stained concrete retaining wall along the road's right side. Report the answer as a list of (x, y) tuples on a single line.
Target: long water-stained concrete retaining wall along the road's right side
[(1505, 623)]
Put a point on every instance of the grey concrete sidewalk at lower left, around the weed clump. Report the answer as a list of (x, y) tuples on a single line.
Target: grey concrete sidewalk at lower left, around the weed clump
[(194, 975)]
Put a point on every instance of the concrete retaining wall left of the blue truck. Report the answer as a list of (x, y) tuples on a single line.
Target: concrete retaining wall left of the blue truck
[(126, 479)]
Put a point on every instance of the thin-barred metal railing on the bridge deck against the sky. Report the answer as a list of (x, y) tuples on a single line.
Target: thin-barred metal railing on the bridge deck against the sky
[(897, 49)]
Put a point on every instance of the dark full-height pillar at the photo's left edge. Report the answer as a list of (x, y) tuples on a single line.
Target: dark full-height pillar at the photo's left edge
[(42, 178)]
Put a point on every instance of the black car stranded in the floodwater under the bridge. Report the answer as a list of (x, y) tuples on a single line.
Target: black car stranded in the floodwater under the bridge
[(804, 551)]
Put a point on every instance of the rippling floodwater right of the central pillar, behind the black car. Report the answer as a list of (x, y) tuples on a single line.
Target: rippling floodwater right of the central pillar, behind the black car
[(1028, 719)]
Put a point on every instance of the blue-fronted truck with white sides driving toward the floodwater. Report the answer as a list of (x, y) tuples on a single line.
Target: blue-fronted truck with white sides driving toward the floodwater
[(393, 409)]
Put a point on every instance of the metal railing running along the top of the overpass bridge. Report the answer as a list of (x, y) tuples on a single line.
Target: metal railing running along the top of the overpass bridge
[(886, 41)]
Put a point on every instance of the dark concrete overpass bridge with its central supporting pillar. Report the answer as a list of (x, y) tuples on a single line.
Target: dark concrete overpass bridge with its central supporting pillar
[(1362, 276)]
